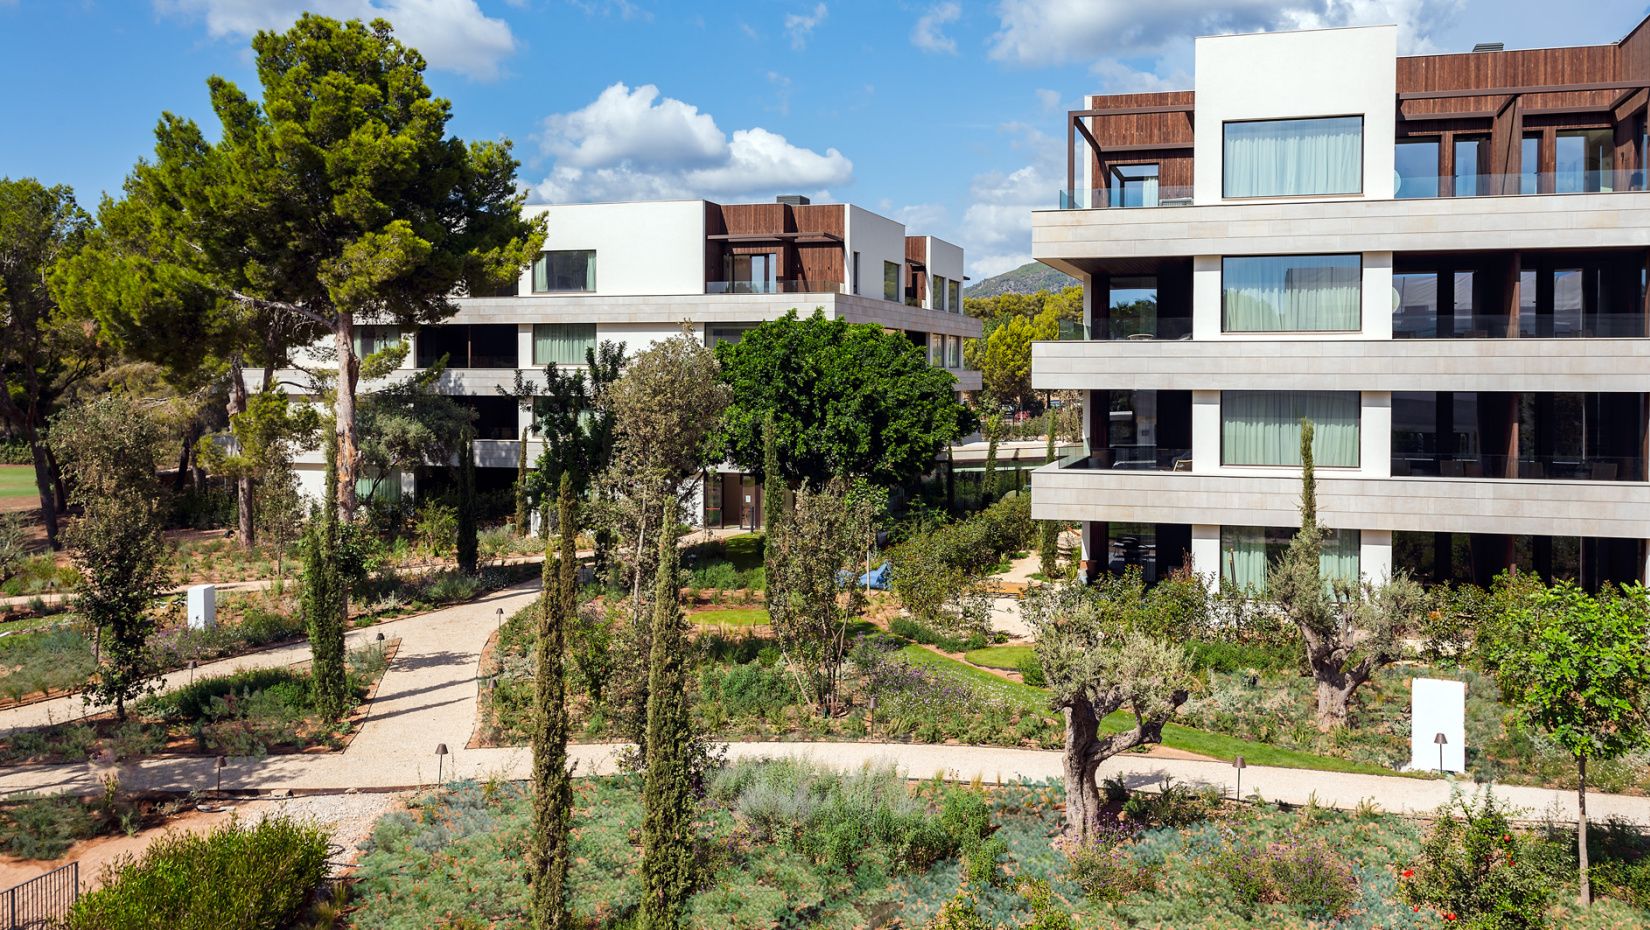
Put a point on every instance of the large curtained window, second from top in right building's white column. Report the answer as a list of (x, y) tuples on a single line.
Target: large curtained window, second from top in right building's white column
[(1291, 294)]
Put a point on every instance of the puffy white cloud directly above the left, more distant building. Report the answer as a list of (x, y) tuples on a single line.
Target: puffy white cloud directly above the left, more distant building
[(638, 144)]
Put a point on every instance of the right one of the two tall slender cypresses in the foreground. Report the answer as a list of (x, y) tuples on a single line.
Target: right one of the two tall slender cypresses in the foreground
[(667, 825)]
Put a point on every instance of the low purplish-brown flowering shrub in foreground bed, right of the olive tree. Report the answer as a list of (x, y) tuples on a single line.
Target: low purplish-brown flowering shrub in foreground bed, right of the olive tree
[(1303, 875)]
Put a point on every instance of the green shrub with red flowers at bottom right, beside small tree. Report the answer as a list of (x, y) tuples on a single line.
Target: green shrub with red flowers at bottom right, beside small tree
[(1476, 867)]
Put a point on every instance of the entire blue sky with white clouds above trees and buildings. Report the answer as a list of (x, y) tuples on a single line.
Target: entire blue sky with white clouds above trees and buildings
[(943, 113)]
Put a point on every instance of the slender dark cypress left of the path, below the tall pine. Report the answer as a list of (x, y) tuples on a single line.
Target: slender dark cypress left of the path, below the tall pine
[(326, 603)]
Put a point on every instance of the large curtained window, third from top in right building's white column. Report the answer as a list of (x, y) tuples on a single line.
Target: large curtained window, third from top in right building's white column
[(1263, 428)]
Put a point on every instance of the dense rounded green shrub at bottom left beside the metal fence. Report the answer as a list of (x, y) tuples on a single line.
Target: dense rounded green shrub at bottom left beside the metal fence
[(245, 876)]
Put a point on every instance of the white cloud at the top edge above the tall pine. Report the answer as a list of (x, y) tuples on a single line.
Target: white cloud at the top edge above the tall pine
[(453, 35)]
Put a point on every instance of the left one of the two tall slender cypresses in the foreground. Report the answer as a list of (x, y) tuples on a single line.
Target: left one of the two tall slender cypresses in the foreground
[(552, 782)]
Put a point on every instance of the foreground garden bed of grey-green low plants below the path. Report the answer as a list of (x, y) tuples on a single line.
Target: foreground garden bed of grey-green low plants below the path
[(791, 845)]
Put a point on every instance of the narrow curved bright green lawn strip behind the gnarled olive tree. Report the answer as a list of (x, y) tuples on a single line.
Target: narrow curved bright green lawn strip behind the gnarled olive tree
[(1176, 736)]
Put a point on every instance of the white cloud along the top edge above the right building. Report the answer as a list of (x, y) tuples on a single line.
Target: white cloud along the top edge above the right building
[(1057, 32)]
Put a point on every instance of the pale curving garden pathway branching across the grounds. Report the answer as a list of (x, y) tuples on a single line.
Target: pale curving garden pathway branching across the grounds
[(428, 698)]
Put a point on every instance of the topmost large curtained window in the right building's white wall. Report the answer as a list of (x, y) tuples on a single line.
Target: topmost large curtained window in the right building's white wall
[(1294, 157)]
